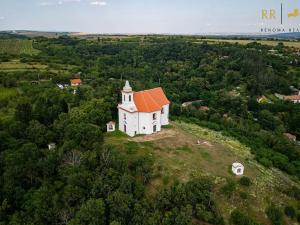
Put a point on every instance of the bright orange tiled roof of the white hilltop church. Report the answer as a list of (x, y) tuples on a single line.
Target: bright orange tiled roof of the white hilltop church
[(150, 100)]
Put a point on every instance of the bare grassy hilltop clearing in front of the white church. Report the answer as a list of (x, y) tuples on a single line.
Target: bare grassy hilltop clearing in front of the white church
[(178, 157)]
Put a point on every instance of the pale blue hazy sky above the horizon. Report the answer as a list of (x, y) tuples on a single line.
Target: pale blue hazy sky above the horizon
[(141, 16)]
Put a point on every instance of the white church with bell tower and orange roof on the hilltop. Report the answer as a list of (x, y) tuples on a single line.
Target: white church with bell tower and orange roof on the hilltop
[(143, 112)]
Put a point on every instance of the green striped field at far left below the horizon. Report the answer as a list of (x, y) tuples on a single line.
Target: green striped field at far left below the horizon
[(17, 47)]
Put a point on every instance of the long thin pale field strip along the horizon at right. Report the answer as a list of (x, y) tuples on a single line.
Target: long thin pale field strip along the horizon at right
[(264, 42)]
